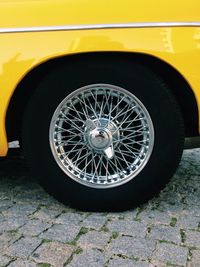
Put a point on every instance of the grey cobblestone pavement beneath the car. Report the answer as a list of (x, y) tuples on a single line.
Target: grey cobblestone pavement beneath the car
[(36, 230)]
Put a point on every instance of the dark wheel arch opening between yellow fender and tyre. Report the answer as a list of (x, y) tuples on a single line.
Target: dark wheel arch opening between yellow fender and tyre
[(176, 82)]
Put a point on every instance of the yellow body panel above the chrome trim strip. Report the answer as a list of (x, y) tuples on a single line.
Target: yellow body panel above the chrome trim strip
[(20, 13)]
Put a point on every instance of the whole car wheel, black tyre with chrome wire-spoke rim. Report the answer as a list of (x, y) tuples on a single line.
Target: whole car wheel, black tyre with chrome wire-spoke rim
[(109, 137)]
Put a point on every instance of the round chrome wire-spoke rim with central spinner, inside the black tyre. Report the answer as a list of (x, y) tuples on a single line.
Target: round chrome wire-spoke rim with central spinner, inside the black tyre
[(101, 136)]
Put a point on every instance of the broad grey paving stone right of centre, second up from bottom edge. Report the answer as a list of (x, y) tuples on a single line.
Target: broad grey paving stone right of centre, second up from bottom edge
[(132, 247)]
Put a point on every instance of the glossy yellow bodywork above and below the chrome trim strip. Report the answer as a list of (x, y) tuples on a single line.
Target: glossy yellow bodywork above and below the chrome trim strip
[(21, 52)]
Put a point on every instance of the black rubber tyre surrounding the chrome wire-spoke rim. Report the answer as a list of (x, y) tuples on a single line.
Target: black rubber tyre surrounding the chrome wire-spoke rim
[(142, 83)]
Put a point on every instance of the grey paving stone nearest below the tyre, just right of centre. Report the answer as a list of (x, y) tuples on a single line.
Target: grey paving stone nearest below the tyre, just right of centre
[(126, 227)]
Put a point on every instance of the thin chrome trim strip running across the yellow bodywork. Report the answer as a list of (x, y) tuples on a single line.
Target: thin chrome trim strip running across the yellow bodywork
[(99, 26)]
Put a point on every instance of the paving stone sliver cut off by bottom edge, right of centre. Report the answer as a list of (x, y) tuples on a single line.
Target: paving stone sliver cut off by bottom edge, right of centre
[(127, 263)]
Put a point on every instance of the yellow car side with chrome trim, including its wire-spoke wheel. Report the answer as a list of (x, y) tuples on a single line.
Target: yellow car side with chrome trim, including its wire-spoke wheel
[(101, 94)]
